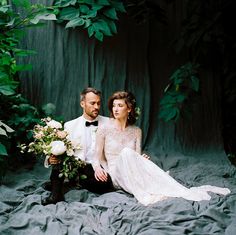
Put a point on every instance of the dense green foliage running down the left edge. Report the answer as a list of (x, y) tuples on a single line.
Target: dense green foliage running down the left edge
[(15, 112)]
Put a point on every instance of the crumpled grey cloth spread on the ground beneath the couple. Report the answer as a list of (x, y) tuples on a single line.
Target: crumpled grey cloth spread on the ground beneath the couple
[(117, 212)]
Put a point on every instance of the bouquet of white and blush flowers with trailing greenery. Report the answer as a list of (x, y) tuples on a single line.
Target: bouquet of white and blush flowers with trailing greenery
[(51, 139)]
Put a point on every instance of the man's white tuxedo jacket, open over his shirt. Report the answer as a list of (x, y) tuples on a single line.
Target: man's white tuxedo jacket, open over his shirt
[(76, 130)]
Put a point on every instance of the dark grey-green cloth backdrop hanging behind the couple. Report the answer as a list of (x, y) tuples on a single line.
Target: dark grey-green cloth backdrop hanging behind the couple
[(140, 58)]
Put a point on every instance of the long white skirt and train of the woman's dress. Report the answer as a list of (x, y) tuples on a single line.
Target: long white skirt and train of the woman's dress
[(149, 183)]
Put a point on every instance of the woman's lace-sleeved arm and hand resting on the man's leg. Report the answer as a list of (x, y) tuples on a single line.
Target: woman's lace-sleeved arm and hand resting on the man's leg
[(100, 173)]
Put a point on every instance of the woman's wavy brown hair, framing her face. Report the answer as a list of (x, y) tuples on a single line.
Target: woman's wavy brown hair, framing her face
[(129, 100)]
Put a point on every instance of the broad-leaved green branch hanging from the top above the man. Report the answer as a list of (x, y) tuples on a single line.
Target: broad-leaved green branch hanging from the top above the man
[(97, 16)]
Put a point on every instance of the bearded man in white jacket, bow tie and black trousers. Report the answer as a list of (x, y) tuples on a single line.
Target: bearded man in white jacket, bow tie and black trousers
[(84, 129)]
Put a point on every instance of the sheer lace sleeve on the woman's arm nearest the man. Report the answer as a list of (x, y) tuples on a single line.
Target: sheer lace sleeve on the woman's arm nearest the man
[(100, 140)]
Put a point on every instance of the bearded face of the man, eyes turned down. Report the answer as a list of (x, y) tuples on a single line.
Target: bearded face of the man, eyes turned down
[(91, 105)]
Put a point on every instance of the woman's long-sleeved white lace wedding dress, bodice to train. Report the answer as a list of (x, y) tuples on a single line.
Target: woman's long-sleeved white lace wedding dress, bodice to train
[(137, 175)]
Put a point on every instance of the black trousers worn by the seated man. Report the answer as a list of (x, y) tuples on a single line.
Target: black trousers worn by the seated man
[(89, 182)]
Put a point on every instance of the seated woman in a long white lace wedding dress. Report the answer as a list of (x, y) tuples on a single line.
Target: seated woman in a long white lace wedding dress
[(118, 150)]
